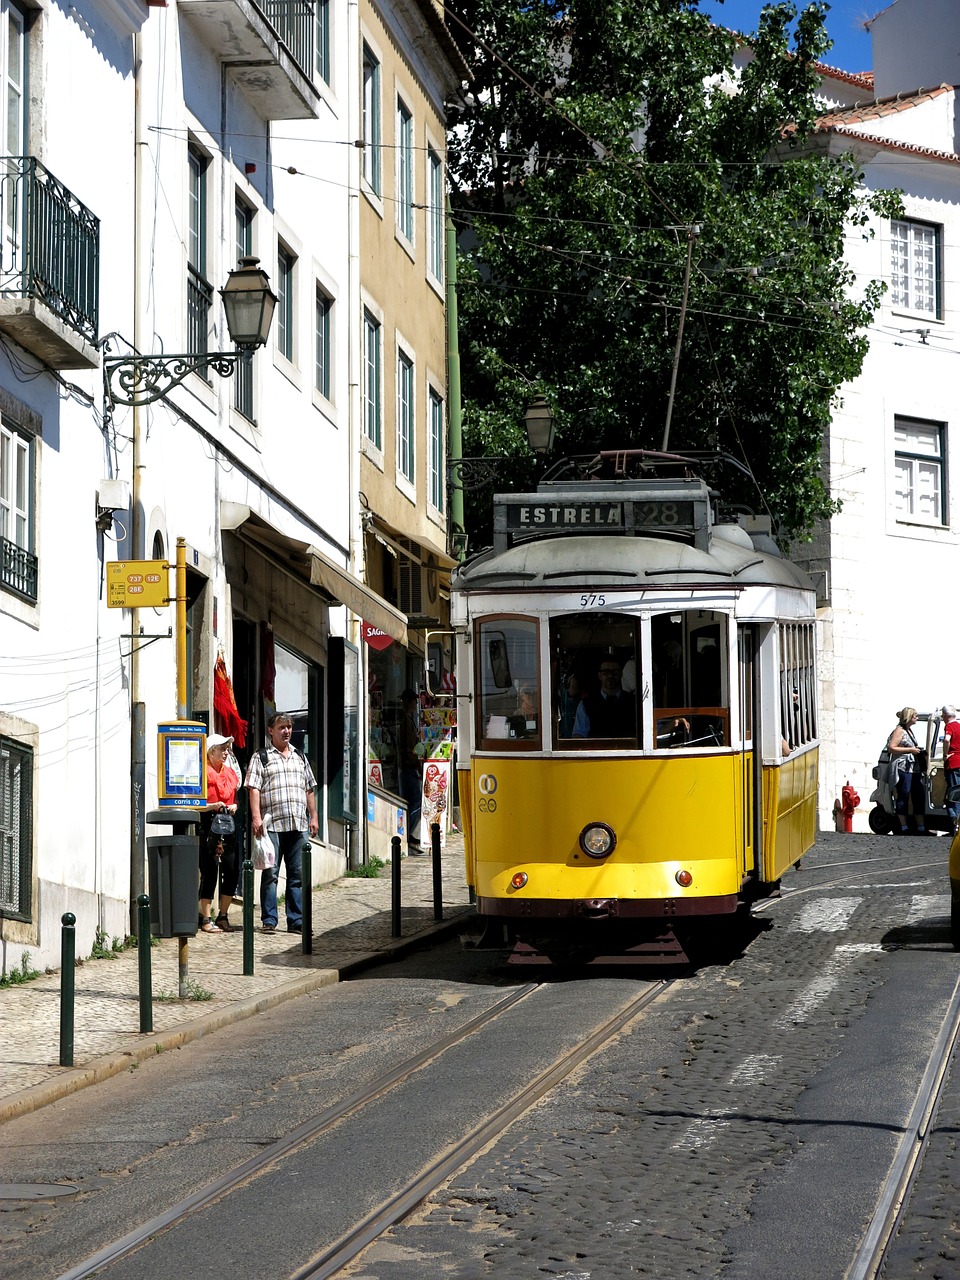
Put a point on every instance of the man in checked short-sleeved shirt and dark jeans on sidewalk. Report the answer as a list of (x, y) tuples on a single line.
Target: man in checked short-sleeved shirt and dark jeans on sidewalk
[(282, 787)]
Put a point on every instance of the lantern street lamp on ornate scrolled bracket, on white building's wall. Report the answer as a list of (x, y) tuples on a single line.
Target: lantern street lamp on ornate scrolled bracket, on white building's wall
[(249, 304)]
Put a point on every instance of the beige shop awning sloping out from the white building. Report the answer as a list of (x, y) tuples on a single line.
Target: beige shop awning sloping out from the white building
[(317, 569)]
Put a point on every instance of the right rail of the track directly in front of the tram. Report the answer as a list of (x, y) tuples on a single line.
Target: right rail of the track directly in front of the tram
[(432, 1177)]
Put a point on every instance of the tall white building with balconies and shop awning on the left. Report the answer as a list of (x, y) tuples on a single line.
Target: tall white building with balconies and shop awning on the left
[(176, 140)]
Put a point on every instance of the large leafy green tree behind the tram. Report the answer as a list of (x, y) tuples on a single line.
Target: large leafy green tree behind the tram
[(605, 154)]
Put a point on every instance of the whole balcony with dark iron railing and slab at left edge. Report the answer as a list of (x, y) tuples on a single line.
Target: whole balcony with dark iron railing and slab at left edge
[(49, 267)]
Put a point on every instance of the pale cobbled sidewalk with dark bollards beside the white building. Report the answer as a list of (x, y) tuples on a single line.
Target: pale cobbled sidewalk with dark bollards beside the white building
[(353, 930)]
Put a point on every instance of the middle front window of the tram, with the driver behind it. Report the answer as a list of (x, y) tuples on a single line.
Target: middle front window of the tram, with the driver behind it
[(595, 676)]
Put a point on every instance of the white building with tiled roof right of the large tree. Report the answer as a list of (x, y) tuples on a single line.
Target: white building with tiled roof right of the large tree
[(888, 564)]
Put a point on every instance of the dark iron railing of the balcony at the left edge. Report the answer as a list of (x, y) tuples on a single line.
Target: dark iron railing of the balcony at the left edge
[(51, 248)]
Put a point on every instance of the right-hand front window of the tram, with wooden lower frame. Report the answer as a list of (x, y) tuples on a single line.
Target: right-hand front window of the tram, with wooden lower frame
[(691, 679)]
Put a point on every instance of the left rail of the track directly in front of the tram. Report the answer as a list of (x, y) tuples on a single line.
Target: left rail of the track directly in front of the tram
[(298, 1137)]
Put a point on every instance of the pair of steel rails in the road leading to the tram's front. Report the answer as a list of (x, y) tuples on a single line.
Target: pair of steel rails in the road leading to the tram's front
[(420, 1185)]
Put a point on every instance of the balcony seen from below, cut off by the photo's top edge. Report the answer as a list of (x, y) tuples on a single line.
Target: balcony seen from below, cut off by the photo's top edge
[(268, 48)]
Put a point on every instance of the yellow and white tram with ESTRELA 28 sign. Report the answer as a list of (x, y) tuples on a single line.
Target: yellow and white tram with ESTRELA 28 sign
[(638, 734)]
